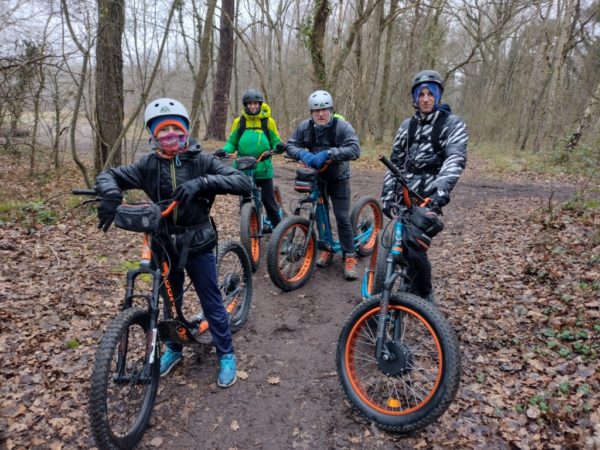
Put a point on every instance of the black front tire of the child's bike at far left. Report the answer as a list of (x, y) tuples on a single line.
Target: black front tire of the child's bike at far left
[(101, 375)]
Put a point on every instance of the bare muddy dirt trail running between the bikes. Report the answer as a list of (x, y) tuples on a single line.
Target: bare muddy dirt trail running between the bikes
[(291, 397)]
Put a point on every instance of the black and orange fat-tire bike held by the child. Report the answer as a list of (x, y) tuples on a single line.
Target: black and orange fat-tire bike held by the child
[(125, 376)]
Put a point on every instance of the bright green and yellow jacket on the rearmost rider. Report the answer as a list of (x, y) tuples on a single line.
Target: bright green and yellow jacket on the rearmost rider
[(253, 141)]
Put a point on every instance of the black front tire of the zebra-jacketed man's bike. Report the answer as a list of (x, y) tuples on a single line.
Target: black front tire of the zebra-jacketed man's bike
[(446, 390)]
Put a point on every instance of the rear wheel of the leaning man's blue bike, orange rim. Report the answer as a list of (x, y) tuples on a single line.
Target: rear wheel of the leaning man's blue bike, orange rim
[(367, 220)]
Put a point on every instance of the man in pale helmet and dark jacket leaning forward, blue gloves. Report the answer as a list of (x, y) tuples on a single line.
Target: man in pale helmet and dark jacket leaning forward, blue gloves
[(328, 137)]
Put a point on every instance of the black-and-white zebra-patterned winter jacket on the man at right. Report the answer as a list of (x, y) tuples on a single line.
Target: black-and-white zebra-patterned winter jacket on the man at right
[(427, 172)]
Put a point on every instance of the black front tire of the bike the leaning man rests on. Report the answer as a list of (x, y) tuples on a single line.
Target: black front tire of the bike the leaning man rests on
[(273, 253)]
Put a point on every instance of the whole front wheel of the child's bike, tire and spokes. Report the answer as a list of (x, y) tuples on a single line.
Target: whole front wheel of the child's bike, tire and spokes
[(124, 381)]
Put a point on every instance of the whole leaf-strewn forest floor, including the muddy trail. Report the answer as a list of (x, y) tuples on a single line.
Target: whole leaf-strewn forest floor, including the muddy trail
[(516, 271)]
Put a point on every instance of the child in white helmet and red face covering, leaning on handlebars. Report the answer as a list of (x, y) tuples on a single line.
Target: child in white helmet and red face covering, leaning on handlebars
[(178, 170)]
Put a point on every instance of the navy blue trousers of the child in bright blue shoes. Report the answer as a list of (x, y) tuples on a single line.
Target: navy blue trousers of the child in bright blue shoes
[(202, 270)]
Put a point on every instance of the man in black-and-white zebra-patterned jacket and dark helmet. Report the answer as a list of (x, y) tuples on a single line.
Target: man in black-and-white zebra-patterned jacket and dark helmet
[(430, 149)]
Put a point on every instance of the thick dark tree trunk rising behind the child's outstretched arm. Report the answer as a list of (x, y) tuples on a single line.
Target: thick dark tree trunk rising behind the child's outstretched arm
[(109, 80)]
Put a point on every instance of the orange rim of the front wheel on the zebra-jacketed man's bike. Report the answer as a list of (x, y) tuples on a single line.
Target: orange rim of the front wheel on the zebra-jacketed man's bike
[(391, 402)]
